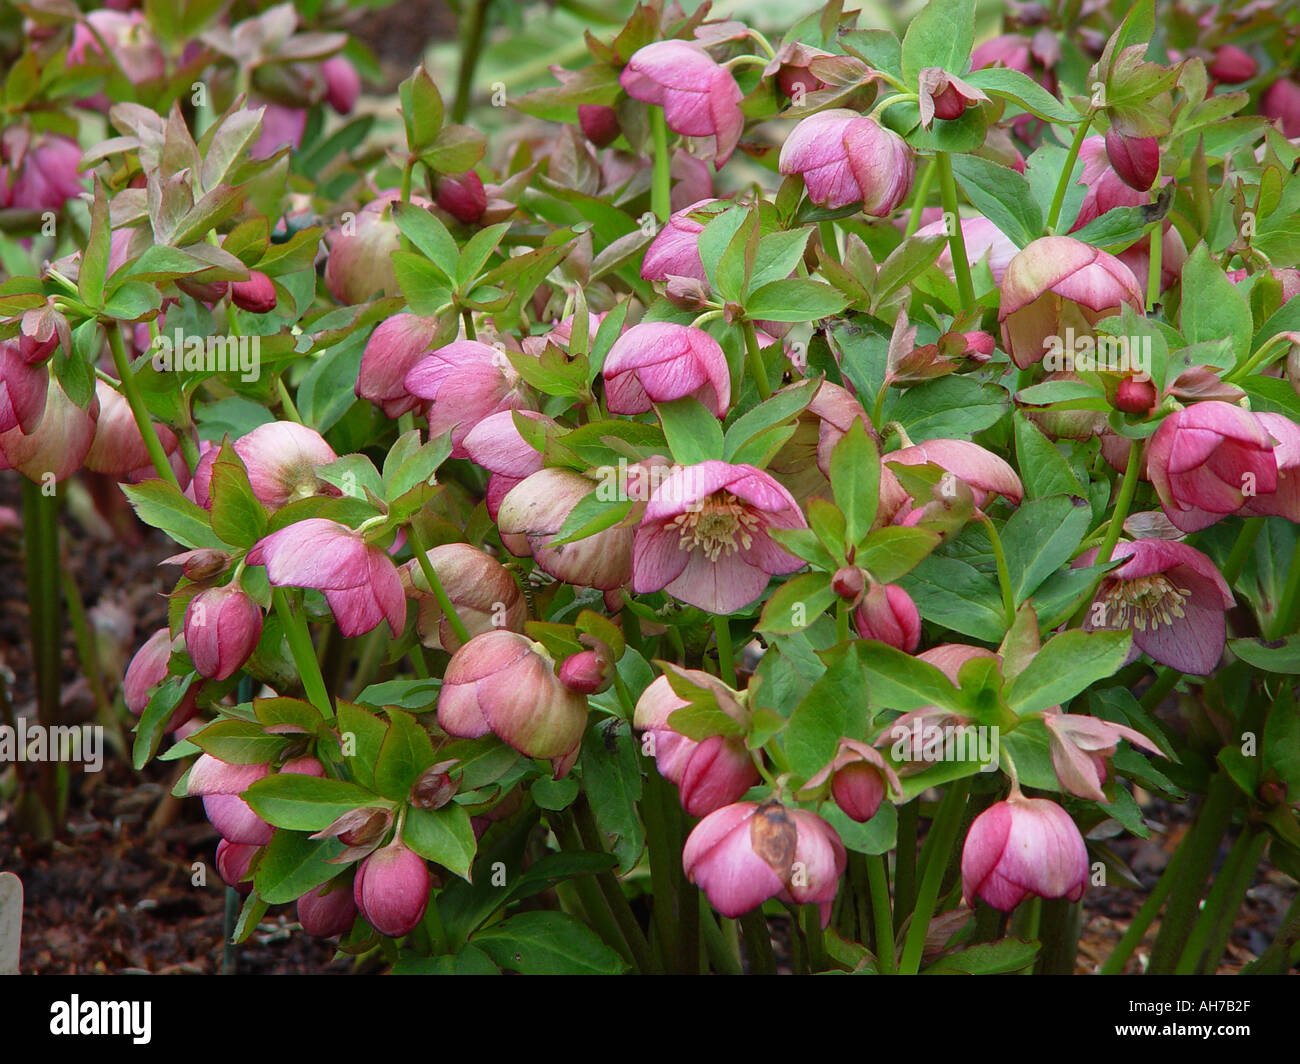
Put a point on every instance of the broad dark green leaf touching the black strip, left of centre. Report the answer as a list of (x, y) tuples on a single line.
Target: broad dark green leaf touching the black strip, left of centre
[(548, 944)]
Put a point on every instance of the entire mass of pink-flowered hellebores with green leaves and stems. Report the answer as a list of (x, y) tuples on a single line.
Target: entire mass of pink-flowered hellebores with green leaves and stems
[(842, 560)]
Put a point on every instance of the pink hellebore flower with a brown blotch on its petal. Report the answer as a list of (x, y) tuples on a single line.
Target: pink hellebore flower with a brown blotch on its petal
[(746, 854)]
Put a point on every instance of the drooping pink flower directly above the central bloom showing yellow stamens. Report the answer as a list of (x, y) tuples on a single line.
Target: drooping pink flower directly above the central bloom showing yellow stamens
[(658, 362)]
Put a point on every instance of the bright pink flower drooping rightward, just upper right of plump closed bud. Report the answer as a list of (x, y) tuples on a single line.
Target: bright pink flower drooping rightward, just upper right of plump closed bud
[(359, 581)]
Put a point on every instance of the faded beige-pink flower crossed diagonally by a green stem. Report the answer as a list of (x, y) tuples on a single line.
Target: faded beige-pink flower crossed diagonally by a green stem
[(482, 590)]
